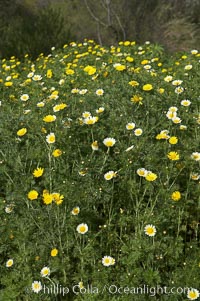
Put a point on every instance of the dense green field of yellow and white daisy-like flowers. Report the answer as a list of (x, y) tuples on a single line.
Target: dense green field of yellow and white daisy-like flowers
[(99, 174)]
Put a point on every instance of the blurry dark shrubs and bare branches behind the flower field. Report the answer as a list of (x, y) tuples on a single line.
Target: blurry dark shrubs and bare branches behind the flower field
[(34, 26)]
